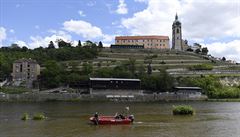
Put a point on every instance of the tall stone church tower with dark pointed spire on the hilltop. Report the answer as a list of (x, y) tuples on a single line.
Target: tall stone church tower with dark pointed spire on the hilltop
[(177, 34)]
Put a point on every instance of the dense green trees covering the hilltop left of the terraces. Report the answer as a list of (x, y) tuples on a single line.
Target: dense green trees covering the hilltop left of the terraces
[(66, 51)]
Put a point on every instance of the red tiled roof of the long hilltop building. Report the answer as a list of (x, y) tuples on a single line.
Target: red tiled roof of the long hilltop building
[(141, 37)]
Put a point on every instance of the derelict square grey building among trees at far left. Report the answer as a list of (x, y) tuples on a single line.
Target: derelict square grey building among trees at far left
[(25, 71)]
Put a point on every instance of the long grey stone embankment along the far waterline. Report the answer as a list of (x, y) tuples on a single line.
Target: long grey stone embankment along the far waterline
[(41, 97)]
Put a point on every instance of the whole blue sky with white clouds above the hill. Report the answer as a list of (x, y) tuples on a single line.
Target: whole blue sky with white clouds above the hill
[(33, 23)]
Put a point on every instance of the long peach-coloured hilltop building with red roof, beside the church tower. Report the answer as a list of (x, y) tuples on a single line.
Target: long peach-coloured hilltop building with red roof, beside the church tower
[(157, 42)]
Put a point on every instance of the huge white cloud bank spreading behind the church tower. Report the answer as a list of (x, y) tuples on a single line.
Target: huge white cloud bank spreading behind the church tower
[(200, 19)]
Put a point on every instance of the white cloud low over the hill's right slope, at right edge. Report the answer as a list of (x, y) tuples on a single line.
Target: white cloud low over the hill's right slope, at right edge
[(229, 50)]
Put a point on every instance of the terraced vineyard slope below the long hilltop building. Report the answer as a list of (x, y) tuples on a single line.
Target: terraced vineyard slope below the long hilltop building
[(177, 63)]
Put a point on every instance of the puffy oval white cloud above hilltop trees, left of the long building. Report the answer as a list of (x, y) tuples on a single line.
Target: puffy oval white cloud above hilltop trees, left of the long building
[(82, 28)]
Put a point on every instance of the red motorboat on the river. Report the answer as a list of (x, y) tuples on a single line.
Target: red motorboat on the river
[(104, 120)]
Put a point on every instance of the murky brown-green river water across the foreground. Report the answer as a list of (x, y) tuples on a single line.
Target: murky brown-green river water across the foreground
[(71, 119)]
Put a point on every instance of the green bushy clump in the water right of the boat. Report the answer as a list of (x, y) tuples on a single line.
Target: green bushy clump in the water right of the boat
[(183, 110)]
